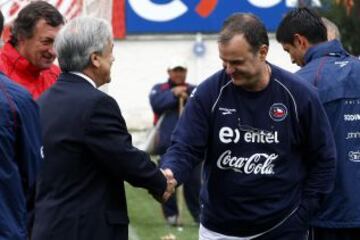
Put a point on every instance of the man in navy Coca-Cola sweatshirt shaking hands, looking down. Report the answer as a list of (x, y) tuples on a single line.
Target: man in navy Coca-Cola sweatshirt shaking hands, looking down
[(266, 167)]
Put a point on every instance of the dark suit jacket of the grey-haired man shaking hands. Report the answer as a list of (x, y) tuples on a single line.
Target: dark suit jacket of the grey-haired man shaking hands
[(88, 155)]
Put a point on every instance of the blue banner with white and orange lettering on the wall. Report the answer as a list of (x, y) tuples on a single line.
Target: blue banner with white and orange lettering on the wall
[(207, 16)]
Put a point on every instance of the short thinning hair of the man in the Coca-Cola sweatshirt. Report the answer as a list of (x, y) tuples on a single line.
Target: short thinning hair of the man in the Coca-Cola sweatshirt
[(249, 25)]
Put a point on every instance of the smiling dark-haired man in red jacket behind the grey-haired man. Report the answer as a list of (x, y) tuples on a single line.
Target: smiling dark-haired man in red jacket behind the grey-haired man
[(27, 58)]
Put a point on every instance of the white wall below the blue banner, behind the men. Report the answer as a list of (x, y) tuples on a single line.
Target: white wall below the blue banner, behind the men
[(141, 61)]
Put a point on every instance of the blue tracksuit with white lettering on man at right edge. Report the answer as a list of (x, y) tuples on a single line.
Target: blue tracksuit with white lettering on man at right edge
[(336, 75)]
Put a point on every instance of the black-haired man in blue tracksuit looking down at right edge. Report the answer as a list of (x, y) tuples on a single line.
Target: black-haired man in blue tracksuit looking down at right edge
[(335, 74)]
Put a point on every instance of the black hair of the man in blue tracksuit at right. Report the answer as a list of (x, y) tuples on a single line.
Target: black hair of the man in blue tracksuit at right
[(302, 21)]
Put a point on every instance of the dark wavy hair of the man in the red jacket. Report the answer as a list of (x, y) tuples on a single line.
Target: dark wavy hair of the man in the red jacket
[(29, 16)]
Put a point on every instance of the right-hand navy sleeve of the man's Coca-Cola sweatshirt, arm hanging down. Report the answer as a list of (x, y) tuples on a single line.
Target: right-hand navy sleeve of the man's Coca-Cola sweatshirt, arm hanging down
[(319, 153)]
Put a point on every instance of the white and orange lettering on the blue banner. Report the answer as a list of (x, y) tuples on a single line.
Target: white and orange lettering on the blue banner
[(163, 12)]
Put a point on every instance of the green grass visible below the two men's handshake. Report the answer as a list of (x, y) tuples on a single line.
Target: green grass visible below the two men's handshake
[(147, 221)]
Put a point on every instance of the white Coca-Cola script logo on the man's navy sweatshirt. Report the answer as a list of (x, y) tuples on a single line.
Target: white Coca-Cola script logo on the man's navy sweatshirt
[(258, 163)]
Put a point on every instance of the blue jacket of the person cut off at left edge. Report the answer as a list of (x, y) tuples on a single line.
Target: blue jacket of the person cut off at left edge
[(20, 159)]
